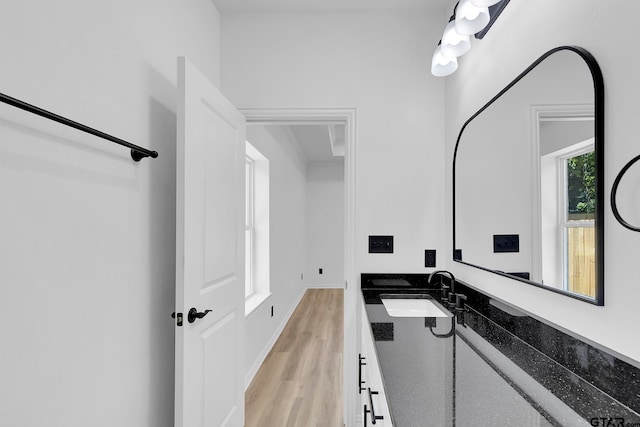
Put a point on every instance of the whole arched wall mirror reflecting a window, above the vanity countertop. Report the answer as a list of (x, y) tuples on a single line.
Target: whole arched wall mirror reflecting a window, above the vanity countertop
[(528, 186)]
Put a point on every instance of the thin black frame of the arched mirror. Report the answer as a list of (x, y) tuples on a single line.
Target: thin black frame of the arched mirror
[(598, 86)]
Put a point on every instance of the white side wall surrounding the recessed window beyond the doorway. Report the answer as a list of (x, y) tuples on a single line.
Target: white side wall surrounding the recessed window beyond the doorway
[(287, 235)]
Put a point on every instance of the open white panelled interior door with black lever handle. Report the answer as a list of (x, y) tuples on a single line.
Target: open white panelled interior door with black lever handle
[(209, 255)]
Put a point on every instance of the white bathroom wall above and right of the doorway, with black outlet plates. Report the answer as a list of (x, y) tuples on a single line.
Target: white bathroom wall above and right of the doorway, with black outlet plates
[(379, 64)]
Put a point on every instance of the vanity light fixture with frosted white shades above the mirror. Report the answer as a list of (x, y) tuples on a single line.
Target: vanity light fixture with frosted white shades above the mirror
[(470, 17)]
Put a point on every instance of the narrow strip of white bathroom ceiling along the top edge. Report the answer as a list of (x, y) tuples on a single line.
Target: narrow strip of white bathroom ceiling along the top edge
[(327, 5)]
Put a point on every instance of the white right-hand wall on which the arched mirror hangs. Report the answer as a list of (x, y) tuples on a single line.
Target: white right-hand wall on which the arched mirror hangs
[(515, 41)]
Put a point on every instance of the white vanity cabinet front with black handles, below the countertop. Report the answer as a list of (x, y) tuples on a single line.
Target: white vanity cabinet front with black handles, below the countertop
[(373, 401)]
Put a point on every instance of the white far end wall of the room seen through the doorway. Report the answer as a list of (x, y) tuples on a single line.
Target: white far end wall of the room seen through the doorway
[(325, 224)]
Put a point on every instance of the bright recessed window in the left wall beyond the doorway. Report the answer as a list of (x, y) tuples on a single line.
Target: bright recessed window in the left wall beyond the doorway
[(256, 288)]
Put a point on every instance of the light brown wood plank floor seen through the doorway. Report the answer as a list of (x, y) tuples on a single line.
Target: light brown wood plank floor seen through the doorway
[(300, 382)]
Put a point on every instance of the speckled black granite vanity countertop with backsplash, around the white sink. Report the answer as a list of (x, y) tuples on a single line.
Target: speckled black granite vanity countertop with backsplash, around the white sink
[(492, 365)]
